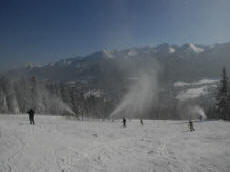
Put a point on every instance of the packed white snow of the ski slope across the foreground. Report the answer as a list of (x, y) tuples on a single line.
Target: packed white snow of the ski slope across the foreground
[(57, 144)]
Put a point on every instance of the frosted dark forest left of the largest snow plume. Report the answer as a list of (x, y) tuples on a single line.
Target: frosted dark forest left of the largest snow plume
[(46, 97)]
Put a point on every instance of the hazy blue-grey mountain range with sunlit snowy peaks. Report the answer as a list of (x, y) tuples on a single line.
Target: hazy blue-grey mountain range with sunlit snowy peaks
[(187, 62)]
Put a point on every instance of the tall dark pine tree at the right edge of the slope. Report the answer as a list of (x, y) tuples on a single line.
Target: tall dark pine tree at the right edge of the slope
[(222, 97)]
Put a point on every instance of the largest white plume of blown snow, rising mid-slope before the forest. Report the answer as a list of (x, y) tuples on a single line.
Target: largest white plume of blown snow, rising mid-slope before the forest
[(141, 94)]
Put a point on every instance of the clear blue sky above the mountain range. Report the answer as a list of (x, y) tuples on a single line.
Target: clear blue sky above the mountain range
[(41, 31)]
